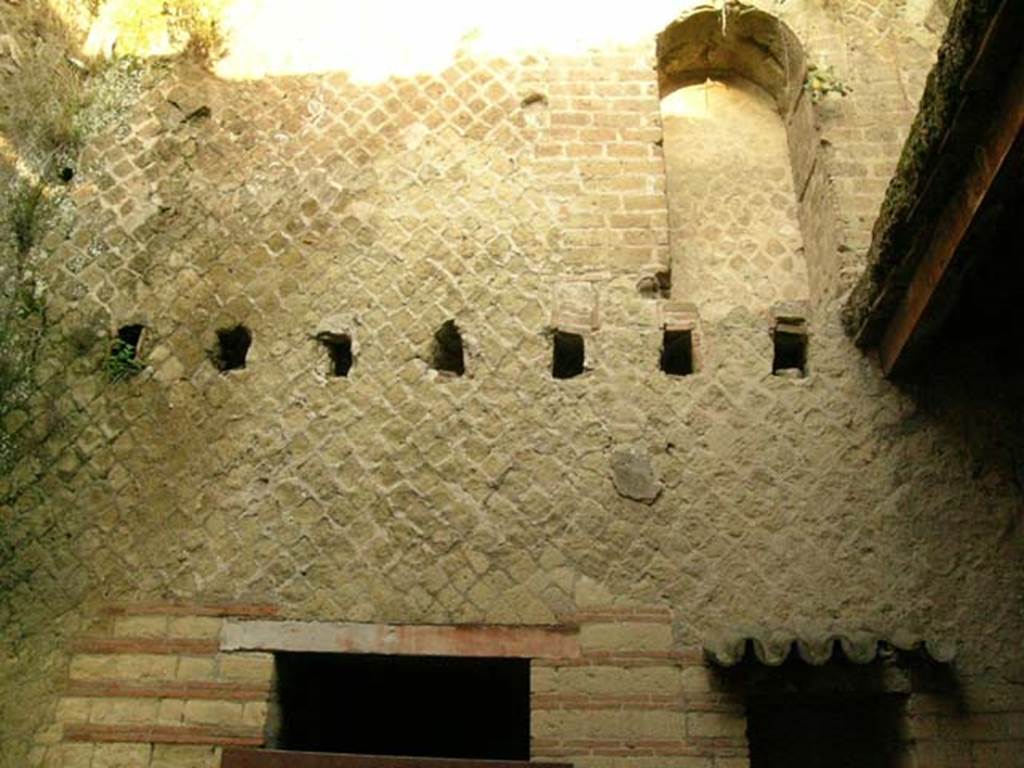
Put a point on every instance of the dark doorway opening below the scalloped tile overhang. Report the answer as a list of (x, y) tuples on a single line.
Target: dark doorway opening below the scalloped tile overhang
[(841, 731)]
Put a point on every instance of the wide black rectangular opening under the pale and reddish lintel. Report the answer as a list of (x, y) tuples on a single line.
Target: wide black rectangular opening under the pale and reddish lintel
[(433, 707)]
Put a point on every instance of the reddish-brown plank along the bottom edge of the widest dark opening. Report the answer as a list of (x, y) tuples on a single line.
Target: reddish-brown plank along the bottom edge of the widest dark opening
[(234, 758)]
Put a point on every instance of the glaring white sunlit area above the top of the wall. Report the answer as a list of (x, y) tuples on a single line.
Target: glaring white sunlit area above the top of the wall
[(373, 40)]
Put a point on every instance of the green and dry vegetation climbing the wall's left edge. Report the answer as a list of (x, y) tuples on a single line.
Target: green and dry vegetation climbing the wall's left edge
[(51, 104)]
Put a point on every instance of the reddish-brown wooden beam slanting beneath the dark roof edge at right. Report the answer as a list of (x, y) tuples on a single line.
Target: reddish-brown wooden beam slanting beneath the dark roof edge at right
[(961, 212)]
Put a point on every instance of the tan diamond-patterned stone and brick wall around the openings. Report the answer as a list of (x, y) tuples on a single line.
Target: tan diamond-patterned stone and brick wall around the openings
[(517, 197)]
